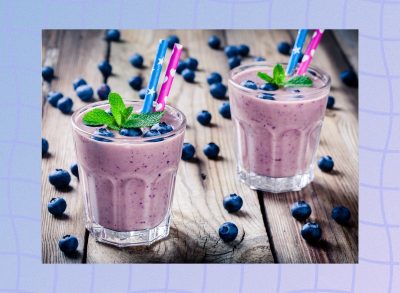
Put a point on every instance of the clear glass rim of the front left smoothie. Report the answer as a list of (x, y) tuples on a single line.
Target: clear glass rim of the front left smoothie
[(128, 139)]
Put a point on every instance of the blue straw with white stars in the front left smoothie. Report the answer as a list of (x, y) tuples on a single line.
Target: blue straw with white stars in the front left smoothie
[(155, 76)]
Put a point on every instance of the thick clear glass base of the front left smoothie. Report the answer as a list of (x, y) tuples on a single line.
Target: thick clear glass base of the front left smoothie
[(130, 238)]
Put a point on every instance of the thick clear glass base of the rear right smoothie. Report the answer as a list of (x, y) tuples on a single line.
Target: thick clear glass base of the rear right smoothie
[(274, 184)]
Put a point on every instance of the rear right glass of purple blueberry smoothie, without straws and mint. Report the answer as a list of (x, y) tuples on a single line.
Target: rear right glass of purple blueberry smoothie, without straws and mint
[(277, 128)]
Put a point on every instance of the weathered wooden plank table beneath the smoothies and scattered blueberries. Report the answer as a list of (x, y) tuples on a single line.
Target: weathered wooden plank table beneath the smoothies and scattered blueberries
[(267, 231)]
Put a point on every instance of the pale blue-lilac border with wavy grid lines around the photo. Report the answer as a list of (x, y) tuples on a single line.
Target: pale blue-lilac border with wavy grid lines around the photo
[(20, 52)]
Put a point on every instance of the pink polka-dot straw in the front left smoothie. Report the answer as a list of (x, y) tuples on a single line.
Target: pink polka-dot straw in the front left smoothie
[(169, 77)]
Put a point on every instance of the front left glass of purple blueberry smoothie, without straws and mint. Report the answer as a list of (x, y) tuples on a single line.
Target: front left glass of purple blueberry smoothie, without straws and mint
[(128, 177)]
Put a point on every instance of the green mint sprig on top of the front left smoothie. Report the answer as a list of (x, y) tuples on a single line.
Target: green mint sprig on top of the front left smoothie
[(122, 116)]
